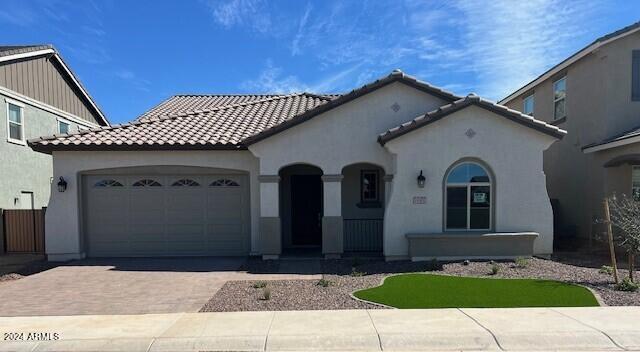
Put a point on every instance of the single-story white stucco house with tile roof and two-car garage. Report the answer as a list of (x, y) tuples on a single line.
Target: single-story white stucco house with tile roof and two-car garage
[(397, 166)]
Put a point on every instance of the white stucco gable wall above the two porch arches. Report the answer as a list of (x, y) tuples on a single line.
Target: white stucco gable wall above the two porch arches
[(346, 134)]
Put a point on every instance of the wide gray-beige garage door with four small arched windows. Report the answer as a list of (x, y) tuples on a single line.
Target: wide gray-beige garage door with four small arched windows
[(164, 215)]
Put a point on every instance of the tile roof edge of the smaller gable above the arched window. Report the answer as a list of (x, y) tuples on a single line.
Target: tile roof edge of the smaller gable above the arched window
[(460, 104)]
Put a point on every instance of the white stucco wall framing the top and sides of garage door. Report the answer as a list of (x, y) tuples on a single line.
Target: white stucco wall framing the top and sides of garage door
[(63, 219)]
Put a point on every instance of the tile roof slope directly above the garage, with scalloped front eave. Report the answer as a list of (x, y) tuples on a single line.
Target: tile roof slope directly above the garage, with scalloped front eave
[(222, 127)]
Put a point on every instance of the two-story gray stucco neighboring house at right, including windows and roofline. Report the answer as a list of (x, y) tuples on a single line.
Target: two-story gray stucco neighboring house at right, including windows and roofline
[(595, 96)]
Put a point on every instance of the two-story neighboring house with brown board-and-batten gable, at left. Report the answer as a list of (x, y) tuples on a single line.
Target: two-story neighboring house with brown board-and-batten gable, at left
[(39, 95)]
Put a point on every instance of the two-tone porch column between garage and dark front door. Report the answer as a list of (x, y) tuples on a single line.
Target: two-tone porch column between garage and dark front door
[(270, 235)]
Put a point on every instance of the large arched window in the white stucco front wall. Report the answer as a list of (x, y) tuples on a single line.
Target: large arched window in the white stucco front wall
[(468, 198)]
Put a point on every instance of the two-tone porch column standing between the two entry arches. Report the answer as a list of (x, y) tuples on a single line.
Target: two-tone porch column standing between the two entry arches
[(332, 227)]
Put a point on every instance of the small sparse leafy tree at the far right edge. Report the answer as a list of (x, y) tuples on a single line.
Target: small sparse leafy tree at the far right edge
[(625, 217)]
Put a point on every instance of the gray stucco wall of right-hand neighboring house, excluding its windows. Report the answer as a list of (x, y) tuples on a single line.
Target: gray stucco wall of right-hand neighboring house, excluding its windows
[(599, 106)]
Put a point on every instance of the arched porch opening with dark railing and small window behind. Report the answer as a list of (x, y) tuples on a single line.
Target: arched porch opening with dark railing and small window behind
[(363, 202)]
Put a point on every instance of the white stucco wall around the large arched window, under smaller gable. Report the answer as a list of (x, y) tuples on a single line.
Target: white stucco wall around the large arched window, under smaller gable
[(512, 152)]
